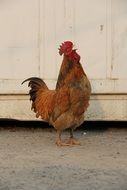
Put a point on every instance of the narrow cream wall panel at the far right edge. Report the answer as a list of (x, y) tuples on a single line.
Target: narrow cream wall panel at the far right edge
[(119, 25)]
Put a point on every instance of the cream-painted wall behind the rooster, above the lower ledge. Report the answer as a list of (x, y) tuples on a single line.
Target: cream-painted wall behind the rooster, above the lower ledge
[(32, 30)]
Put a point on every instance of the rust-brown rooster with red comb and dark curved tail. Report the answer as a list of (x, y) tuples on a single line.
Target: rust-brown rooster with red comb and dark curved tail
[(63, 107)]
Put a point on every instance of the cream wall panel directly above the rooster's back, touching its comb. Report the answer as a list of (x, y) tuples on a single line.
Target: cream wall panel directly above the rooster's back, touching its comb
[(56, 26)]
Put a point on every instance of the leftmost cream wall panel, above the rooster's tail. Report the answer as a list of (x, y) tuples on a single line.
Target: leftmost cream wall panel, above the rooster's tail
[(19, 56)]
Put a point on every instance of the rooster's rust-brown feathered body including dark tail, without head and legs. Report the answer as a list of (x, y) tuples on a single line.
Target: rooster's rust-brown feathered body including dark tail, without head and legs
[(70, 97)]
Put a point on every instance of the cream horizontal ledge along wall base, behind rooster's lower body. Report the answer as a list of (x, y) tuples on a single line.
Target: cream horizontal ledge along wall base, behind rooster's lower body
[(102, 107)]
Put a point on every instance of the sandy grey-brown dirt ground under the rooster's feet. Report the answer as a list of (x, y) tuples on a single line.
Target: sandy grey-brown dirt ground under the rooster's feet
[(30, 160)]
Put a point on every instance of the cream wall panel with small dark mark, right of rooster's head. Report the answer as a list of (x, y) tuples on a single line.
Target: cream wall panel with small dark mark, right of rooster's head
[(91, 34)]
